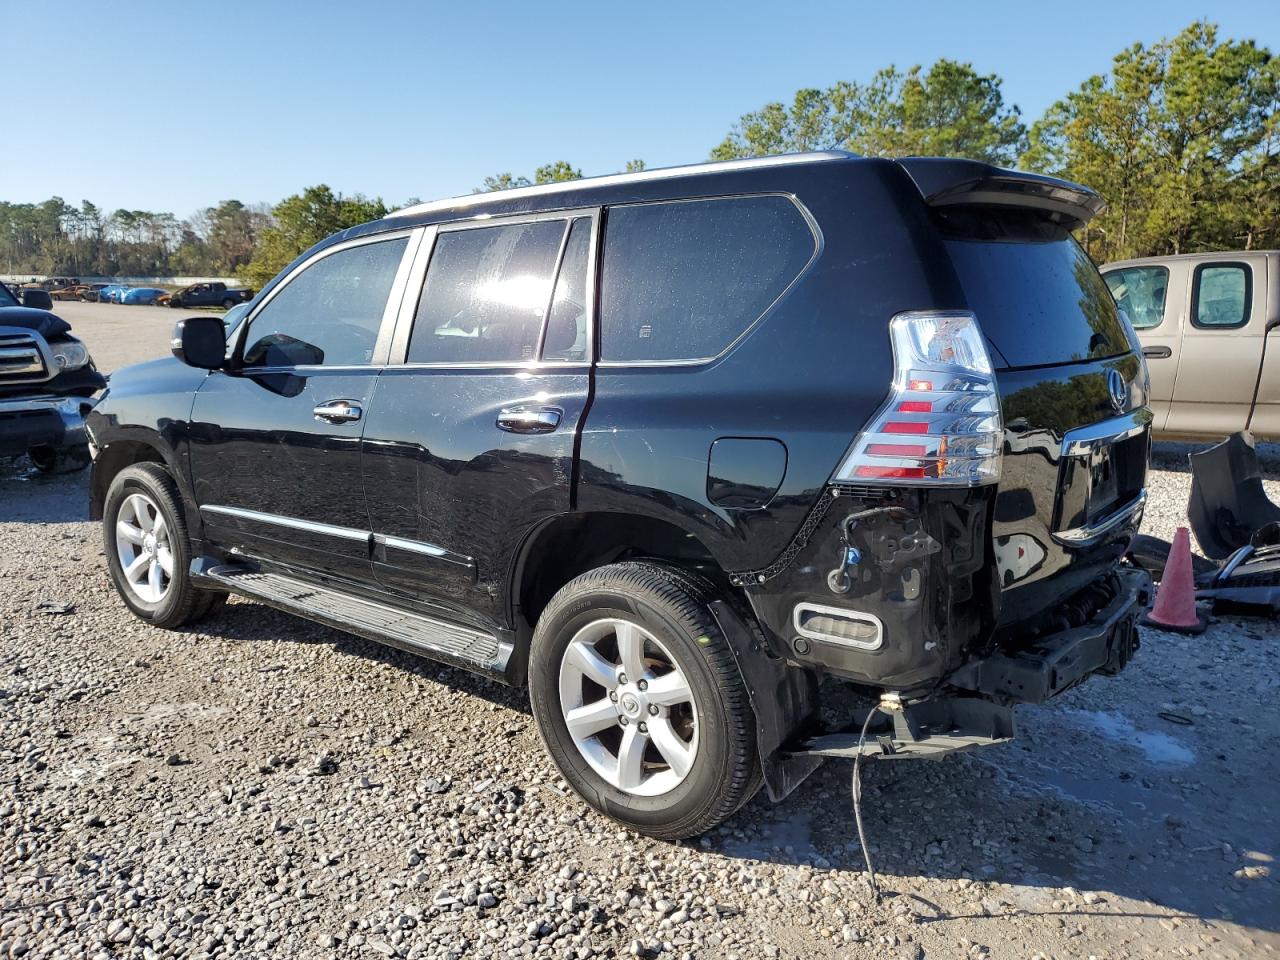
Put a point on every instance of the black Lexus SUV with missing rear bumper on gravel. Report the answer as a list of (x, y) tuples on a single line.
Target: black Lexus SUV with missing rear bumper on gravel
[(673, 449)]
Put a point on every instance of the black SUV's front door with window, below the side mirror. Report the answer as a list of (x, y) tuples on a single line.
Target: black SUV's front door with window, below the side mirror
[(276, 440)]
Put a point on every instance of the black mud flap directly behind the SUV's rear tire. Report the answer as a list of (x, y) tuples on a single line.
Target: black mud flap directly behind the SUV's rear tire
[(783, 698)]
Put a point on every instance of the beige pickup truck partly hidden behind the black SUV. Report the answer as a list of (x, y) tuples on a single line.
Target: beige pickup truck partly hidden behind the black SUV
[(1206, 324)]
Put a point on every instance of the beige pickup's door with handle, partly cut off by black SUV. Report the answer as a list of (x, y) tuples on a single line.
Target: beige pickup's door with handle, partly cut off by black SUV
[(1153, 296)]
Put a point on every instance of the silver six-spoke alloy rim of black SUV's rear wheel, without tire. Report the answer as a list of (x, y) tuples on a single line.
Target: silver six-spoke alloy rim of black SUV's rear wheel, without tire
[(629, 707)]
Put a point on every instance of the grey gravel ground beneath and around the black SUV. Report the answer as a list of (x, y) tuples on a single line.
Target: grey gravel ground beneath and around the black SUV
[(260, 787)]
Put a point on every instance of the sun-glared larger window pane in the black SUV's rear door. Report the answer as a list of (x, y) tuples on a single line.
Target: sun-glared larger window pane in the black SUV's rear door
[(486, 295)]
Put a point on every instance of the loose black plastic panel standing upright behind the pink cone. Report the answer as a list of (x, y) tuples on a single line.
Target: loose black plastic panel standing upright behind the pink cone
[(1228, 504)]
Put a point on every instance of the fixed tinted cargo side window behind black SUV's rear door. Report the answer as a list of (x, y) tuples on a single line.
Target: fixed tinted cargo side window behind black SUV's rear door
[(684, 281)]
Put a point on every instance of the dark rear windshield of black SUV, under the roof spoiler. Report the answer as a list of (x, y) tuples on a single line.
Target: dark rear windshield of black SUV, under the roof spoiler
[(1039, 298)]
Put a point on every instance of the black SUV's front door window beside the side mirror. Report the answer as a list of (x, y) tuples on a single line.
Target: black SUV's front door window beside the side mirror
[(330, 314)]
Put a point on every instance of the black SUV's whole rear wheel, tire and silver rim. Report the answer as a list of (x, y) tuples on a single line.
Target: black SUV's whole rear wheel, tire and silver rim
[(641, 703)]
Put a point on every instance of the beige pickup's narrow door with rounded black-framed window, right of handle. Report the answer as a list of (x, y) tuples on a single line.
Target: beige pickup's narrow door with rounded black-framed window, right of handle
[(1223, 340)]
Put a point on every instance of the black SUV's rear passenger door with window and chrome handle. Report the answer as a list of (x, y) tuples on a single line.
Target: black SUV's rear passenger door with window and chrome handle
[(469, 445)]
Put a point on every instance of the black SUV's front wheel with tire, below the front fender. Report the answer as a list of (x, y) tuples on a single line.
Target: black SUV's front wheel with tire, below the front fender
[(149, 551)]
